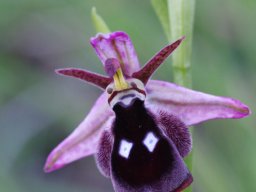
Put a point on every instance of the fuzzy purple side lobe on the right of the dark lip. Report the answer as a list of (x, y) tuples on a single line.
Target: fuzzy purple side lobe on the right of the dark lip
[(176, 130)]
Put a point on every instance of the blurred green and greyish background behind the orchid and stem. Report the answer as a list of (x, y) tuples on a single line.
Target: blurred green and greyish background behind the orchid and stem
[(38, 109)]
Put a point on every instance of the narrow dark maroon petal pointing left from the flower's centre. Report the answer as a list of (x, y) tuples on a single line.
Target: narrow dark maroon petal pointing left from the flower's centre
[(89, 77)]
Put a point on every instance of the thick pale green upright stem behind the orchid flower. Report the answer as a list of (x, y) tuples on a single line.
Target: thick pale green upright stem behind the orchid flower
[(181, 19)]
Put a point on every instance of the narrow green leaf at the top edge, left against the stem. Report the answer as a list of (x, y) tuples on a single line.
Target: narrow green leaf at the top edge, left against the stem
[(161, 9)]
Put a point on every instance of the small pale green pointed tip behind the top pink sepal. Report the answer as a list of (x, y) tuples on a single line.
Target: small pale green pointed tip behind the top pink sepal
[(99, 23)]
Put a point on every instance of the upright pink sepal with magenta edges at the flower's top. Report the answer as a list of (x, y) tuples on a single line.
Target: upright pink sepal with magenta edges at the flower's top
[(119, 46)]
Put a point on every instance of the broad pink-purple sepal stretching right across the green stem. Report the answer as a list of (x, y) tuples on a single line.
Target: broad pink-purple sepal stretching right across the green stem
[(190, 106)]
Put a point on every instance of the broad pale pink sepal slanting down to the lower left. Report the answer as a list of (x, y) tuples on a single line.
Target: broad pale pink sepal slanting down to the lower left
[(83, 141)]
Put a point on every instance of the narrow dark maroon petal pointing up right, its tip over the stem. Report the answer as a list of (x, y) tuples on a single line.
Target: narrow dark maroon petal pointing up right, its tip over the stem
[(151, 66)]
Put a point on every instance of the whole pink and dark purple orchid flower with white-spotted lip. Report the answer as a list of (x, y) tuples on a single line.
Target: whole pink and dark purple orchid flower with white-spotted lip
[(138, 128)]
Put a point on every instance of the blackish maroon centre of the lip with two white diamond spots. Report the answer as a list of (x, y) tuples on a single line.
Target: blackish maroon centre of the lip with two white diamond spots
[(142, 155)]
